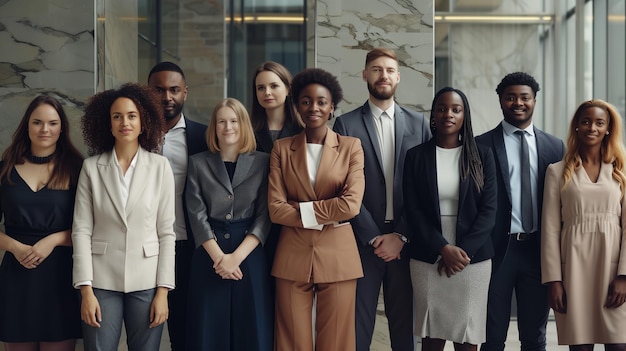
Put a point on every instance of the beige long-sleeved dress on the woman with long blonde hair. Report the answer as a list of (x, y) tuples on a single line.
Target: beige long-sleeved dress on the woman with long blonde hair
[(584, 246)]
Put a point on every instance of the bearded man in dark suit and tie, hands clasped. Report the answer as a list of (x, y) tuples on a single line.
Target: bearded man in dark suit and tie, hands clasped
[(387, 131)]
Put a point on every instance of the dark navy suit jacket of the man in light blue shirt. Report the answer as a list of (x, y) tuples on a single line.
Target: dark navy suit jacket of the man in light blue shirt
[(549, 150)]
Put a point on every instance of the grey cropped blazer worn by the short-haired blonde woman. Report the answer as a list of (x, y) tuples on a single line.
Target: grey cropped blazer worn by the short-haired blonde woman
[(210, 193)]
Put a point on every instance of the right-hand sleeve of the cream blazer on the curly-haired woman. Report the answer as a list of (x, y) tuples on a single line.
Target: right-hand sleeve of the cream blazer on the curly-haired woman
[(165, 227)]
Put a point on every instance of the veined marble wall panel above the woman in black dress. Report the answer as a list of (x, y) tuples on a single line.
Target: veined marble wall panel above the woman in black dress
[(45, 49)]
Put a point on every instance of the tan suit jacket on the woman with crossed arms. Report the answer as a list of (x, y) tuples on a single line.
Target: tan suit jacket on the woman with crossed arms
[(329, 255)]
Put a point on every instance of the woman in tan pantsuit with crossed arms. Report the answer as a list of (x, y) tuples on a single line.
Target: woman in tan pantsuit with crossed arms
[(316, 185)]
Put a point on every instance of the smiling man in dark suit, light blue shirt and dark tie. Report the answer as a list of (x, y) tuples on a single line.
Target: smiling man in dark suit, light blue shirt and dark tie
[(516, 236)]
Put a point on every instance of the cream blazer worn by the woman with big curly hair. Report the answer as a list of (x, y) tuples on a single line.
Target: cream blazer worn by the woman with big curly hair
[(124, 248)]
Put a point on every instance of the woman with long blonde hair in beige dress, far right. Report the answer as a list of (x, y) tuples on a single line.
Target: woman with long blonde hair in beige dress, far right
[(583, 251)]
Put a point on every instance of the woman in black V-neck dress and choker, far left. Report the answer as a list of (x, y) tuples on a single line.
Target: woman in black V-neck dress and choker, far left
[(39, 310)]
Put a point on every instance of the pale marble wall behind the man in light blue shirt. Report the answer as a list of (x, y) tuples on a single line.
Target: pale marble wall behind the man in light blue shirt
[(480, 55)]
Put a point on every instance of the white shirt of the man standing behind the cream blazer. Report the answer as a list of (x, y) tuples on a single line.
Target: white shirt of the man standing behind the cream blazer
[(175, 149)]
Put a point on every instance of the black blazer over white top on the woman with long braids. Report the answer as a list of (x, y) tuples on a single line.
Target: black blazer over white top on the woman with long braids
[(476, 212)]
